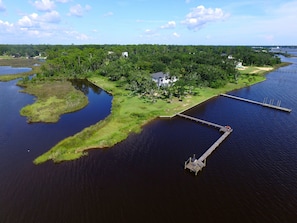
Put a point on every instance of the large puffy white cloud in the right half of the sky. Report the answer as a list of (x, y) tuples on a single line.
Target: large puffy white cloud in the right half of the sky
[(200, 16)]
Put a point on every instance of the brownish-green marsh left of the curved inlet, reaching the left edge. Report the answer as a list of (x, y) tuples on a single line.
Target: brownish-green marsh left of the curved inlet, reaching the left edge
[(53, 97)]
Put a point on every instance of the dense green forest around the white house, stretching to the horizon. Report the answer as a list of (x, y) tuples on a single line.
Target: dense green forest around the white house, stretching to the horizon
[(132, 65)]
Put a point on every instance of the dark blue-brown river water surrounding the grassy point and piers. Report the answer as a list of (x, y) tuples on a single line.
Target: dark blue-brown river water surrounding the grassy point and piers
[(251, 177)]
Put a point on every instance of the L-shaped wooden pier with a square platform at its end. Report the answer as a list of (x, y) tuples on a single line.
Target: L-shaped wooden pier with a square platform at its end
[(196, 165)]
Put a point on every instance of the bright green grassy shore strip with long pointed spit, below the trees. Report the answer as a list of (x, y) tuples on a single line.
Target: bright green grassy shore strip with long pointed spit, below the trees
[(113, 129)]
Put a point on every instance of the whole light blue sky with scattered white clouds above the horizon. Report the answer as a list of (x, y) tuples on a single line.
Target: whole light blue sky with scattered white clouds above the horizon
[(178, 22)]
